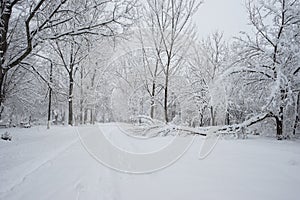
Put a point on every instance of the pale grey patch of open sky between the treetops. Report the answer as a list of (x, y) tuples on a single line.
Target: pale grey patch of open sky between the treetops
[(229, 16)]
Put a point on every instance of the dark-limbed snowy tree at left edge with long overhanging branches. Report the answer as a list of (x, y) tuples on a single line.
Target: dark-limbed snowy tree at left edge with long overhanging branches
[(25, 25)]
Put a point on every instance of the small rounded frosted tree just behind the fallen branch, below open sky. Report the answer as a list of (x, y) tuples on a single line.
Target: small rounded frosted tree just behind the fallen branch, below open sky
[(209, 60)]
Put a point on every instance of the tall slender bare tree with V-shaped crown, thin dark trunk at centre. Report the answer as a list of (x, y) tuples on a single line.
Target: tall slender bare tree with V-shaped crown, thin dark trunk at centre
[(172, 27)]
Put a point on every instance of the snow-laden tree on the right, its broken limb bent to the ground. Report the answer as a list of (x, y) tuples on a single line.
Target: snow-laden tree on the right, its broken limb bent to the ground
[(270, 57)]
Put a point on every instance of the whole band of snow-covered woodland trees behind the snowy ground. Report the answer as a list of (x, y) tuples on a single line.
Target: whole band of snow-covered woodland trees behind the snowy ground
[(84, 61)]
